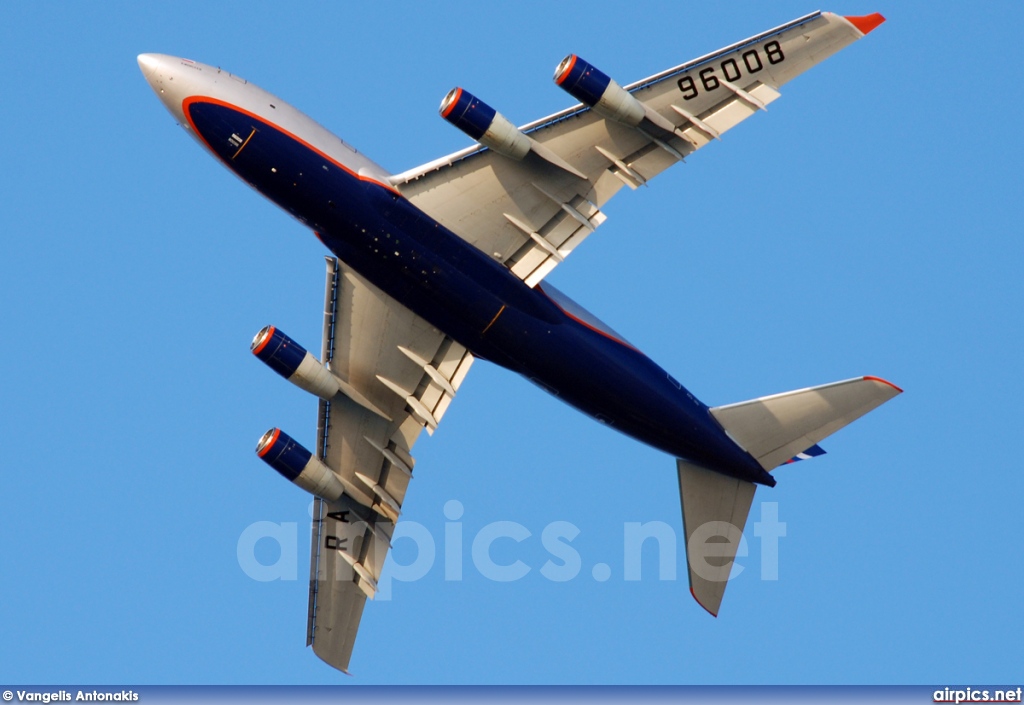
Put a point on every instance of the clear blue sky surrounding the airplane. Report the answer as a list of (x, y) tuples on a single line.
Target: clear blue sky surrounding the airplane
[(866, 225)]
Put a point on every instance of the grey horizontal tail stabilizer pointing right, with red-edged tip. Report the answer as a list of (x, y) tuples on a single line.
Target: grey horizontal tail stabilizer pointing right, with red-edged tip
[(777, 429)]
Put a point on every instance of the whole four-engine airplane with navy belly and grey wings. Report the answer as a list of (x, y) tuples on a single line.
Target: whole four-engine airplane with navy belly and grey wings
[(437, 267)]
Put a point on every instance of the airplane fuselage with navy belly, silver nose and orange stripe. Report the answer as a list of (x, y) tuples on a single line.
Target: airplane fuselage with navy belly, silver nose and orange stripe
[(366, 222)]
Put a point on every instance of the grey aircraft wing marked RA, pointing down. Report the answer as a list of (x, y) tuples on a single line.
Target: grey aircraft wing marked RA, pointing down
[(401, 376)]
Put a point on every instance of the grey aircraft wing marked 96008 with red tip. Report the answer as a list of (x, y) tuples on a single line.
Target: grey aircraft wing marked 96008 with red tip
[(532, 214)]
